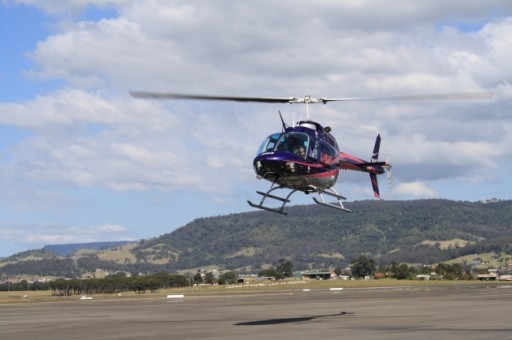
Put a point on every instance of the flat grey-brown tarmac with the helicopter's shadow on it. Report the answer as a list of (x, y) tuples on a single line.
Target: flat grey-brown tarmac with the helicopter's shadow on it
[(444, 312)]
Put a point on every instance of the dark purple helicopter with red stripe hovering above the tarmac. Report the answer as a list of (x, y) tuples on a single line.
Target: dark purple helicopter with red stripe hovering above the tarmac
[(305, 157)]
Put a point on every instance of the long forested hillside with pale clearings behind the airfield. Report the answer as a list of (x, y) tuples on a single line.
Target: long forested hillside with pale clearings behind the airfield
[(420, 231)]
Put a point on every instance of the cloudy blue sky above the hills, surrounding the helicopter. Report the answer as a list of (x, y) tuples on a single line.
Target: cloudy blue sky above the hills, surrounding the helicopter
[(82, 161)]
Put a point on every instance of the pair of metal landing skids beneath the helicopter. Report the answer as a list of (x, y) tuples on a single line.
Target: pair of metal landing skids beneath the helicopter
[(284, 200)]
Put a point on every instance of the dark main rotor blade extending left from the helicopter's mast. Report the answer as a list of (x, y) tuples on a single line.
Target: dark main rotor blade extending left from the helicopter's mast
[(167, 95)]
